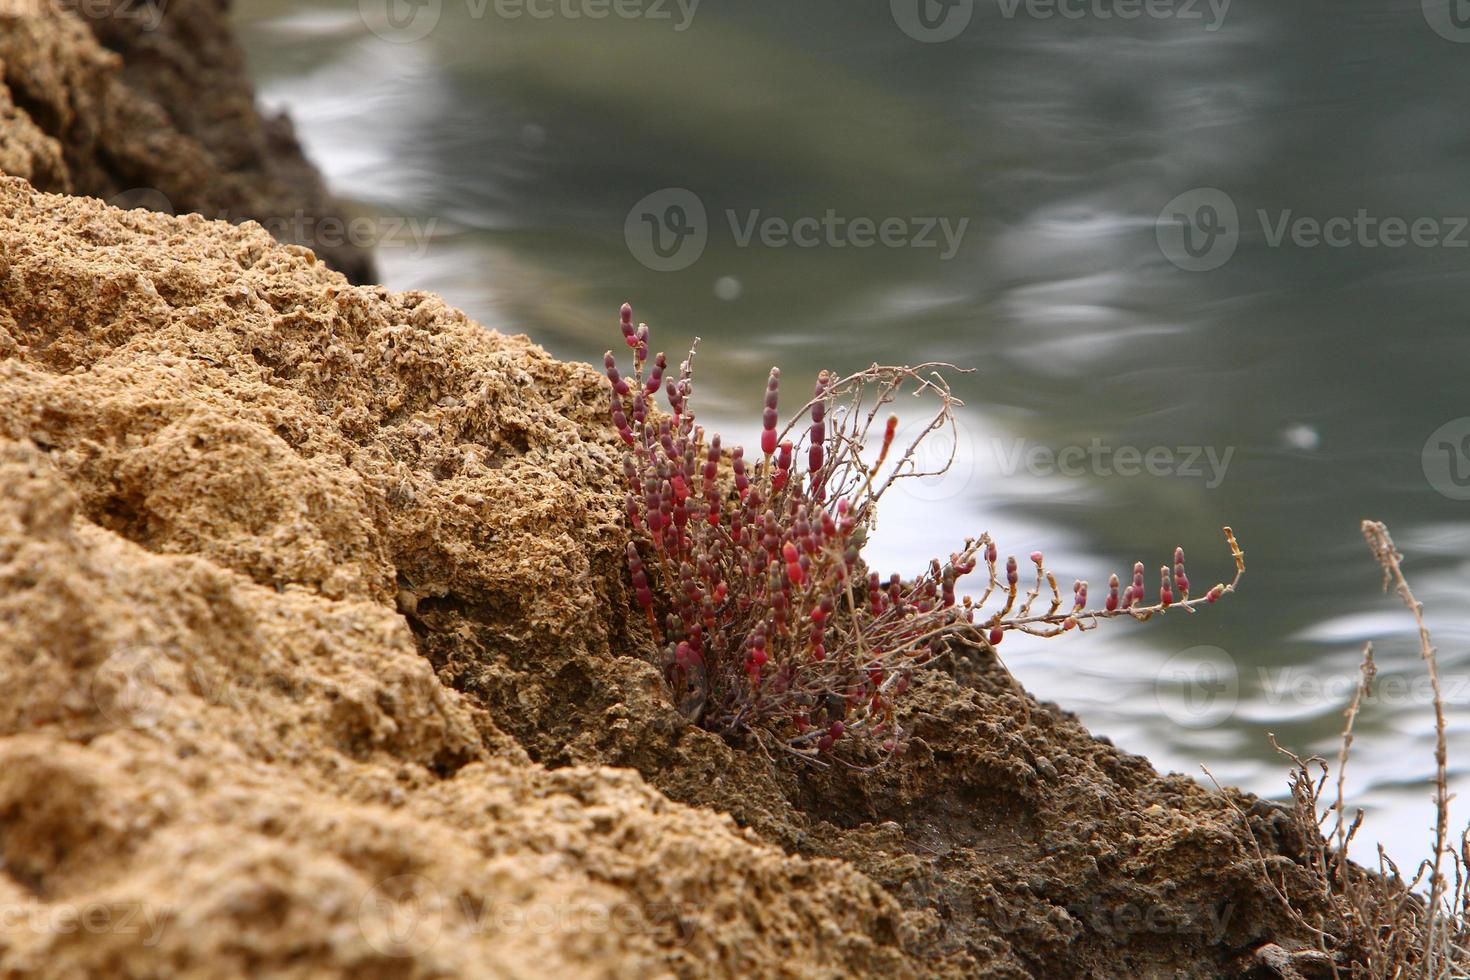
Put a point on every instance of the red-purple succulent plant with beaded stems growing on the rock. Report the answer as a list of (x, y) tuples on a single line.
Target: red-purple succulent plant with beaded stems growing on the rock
[(750, 572)]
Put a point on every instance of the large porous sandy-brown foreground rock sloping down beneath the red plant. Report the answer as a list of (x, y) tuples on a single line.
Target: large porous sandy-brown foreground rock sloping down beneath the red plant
[(315, 660)]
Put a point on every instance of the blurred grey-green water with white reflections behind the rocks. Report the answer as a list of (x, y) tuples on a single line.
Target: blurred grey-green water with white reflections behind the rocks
[(1291, 387)]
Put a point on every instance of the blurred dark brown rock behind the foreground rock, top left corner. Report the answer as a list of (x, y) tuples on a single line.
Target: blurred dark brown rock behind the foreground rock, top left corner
[(149, 105)]
